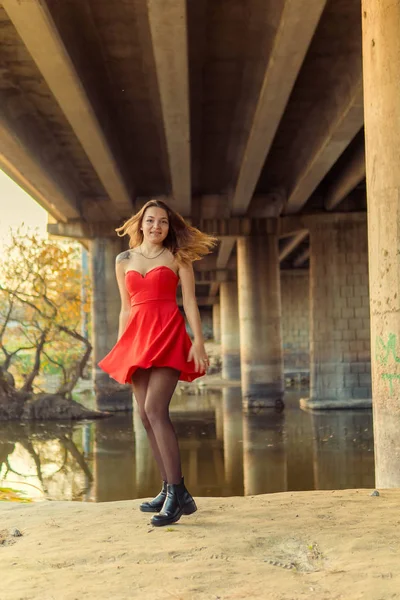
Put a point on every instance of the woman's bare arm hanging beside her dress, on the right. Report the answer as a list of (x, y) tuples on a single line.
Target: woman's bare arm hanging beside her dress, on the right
[(197, 351)]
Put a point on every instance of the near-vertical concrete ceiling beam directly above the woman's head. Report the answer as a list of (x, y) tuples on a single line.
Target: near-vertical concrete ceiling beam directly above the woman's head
[(168, 25)]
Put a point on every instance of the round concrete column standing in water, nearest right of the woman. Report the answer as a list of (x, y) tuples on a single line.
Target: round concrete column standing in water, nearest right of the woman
[(260, 320)]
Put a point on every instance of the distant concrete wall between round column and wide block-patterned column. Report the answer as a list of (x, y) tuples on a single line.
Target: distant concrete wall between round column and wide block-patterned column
[(295, 320)]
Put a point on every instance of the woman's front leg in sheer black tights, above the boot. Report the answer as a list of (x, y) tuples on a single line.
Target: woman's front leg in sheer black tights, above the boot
[(161, 385)]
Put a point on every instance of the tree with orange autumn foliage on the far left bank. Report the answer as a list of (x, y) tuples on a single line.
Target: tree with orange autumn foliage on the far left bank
[(43, 297)]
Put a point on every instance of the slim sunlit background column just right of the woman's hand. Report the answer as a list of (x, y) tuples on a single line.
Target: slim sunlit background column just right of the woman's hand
[(230, 334)]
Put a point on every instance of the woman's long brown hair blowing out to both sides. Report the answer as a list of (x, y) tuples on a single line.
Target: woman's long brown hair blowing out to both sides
[(184, 241)]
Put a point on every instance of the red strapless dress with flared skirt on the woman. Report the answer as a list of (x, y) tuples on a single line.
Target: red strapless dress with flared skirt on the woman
[(155, 335)]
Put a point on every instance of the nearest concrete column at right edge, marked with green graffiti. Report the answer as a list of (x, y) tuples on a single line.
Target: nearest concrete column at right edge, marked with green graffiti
[(381, 55)]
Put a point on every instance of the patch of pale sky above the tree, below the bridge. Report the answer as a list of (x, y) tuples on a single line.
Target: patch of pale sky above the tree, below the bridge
[(17, 208)]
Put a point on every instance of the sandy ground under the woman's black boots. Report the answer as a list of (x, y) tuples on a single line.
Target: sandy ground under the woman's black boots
[(340, 544)]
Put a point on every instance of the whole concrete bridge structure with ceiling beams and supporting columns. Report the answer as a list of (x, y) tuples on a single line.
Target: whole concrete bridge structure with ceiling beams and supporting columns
[(248, 117)]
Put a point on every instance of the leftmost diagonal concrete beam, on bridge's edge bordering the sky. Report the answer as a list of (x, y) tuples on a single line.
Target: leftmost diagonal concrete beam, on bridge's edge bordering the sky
[(21, 165)]
